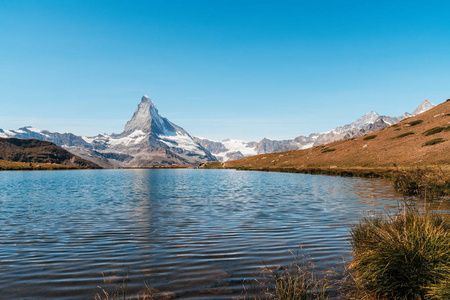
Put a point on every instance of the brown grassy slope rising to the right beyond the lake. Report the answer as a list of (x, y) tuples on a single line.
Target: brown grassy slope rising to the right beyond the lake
[(399, 145)]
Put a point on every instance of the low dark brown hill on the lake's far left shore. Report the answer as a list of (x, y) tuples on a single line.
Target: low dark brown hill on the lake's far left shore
[(36, 151)]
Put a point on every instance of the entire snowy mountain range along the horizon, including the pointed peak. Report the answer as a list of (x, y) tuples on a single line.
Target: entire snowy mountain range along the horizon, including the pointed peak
[(149, 139)]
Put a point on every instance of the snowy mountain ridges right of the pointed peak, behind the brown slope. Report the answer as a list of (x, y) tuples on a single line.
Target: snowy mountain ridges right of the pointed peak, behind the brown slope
[(235, 149)]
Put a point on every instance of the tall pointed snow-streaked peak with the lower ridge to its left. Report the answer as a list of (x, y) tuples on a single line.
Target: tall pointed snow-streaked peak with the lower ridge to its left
[(148, 139)]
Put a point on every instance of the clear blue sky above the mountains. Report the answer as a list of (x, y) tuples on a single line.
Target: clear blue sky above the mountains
[(225, 68)]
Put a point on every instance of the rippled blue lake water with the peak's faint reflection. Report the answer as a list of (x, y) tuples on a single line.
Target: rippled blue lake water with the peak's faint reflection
[(194, 234)]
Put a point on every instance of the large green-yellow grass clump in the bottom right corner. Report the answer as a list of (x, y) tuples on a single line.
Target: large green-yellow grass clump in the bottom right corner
[(403, 257)]
